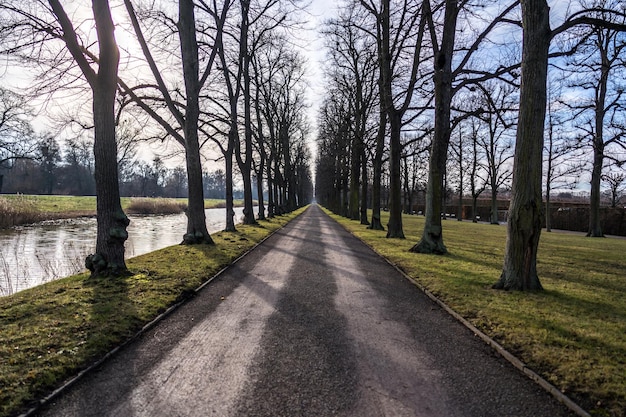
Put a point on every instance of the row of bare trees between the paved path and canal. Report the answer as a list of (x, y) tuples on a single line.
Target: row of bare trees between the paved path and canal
[(216, 75)]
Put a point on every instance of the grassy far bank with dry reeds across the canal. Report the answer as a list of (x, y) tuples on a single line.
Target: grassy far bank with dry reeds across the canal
[(19, 209)]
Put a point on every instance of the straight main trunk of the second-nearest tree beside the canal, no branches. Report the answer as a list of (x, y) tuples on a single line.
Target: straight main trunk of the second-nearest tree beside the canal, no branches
[(196, 219)]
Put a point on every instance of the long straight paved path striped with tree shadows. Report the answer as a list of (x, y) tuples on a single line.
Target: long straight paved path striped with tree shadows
[(312, 323)]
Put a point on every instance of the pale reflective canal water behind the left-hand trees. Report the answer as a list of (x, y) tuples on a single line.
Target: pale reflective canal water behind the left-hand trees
[(34, 254)]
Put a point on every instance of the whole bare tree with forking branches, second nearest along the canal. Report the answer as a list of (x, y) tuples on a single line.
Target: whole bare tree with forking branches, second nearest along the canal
[(186, 118)]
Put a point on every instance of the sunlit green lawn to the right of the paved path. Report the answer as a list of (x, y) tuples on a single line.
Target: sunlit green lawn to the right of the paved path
[(573, 333)]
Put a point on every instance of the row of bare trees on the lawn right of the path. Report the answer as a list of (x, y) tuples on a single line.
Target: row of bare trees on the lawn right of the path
[(448, 88)]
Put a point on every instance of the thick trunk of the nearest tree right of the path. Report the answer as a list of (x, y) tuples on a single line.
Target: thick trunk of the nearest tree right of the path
[(525, 211)]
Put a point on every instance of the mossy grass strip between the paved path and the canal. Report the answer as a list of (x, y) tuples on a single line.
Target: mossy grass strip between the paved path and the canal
[(50, 332)]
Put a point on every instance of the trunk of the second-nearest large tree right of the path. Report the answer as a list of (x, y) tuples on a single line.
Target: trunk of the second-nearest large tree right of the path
[(432, 236)]
